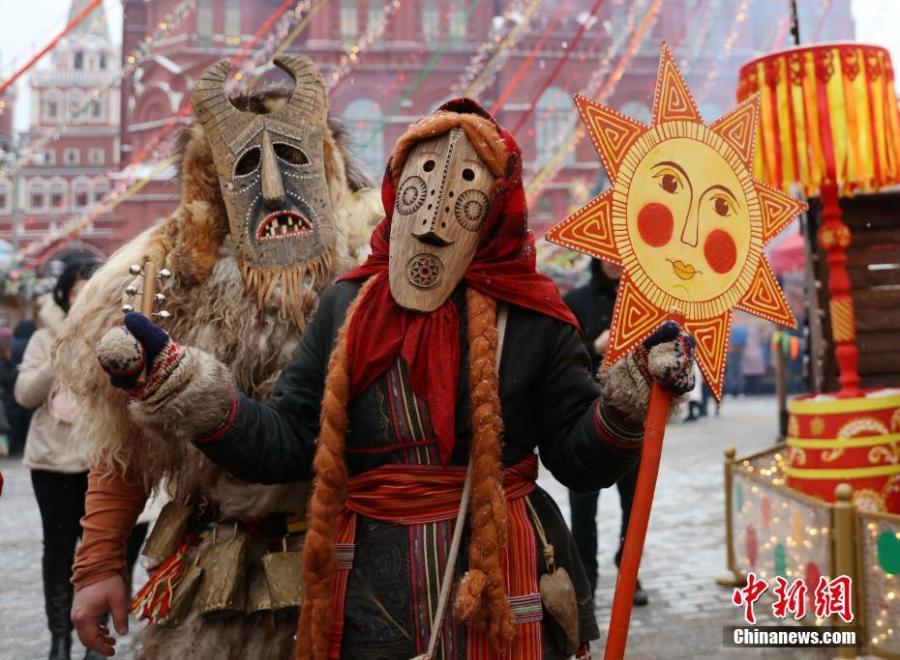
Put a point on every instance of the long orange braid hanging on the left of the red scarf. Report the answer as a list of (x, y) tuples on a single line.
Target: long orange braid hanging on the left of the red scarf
[(326, 503)]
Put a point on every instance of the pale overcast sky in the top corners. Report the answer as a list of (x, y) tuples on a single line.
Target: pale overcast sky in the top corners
[(26, 25)]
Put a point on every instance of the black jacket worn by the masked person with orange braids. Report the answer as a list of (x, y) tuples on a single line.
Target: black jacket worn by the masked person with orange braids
[(547, 392)]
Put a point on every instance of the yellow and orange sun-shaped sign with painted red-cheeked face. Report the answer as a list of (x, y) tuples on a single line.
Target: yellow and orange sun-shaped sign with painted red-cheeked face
[(685, 219)]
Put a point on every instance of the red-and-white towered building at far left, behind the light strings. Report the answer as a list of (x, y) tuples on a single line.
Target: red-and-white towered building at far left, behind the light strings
[(68, 175)]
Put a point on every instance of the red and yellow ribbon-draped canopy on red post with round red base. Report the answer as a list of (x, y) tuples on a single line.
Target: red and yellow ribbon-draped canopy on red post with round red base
[(830, 128)]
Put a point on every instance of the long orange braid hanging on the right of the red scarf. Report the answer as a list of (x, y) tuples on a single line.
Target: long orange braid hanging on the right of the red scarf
[(481, 597)]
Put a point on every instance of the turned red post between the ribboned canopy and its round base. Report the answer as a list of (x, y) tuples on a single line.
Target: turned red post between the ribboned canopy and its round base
[(834, 237)]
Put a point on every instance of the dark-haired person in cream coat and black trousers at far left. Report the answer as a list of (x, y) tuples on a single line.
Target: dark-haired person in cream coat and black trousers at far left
[(58, 460)]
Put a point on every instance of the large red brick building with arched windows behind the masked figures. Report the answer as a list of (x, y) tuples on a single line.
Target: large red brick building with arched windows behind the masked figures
[(437, 36)]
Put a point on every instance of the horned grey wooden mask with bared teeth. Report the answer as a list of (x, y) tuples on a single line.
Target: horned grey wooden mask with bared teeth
[(271, 166)]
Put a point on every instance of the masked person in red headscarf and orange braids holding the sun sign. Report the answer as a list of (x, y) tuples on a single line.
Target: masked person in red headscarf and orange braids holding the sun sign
[(446, 349)]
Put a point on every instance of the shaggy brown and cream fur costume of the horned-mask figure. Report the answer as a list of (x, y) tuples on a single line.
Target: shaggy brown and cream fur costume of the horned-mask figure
[(251, 320)]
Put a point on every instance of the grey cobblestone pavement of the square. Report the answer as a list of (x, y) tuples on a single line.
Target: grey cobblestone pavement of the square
[(683, 554)]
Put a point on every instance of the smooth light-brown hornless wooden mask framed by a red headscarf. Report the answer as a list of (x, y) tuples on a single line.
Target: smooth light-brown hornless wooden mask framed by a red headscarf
[(442, 202)]
